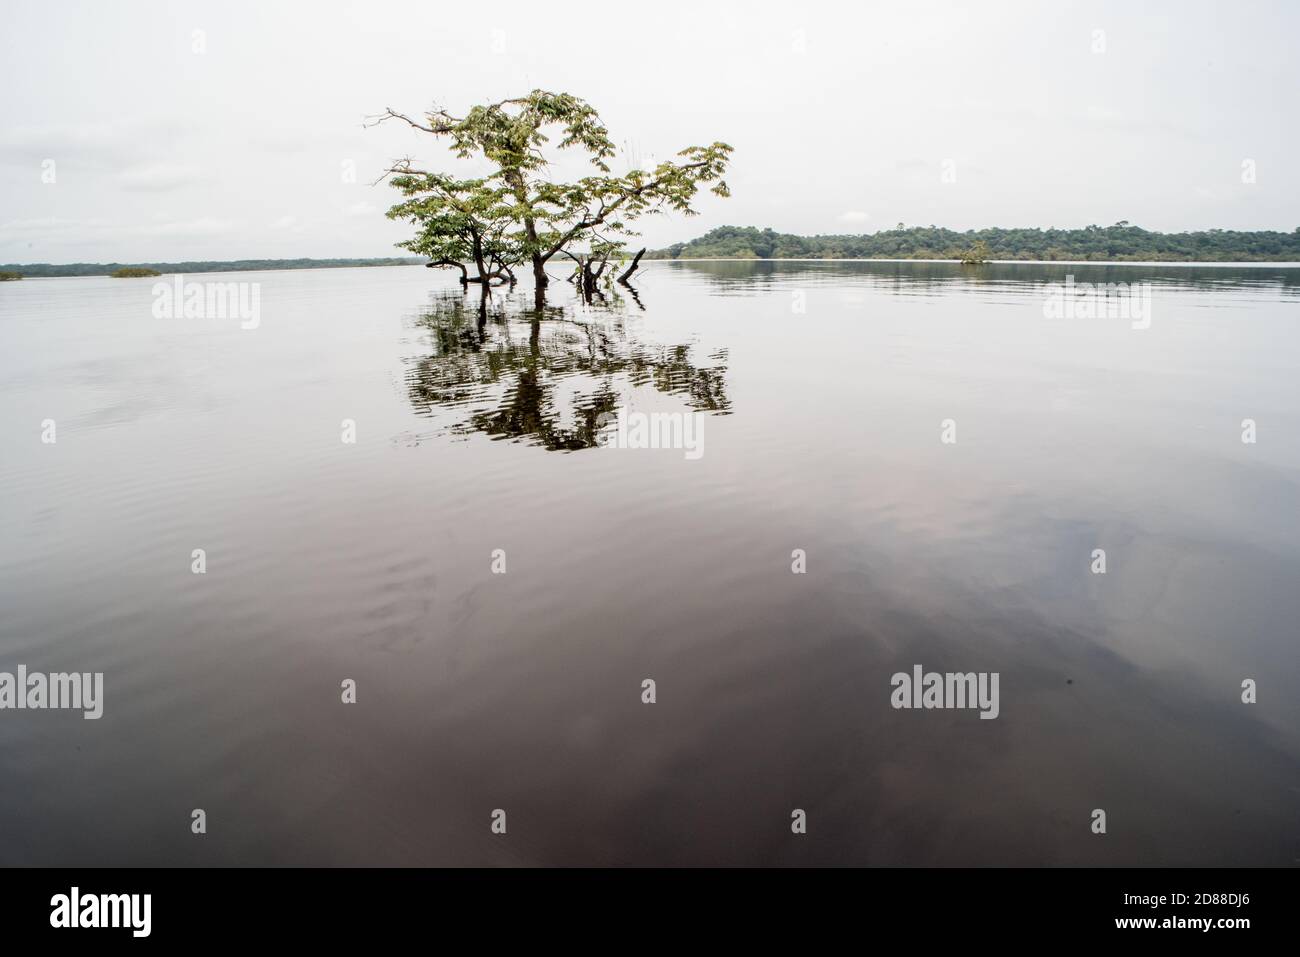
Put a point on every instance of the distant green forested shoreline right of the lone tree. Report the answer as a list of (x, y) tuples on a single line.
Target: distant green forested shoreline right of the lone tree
[(1121, 243)]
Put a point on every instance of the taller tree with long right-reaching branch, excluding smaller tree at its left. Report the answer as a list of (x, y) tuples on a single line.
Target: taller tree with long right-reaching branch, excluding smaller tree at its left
[(549, 218)]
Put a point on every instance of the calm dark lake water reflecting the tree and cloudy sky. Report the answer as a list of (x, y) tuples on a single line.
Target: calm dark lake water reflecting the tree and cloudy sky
[(372, 561)]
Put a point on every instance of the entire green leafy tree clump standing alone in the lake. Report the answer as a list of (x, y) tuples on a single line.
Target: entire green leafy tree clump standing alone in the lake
[(527, 216)]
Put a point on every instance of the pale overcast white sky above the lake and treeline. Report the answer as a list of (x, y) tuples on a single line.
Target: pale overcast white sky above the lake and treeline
[(170, 132)]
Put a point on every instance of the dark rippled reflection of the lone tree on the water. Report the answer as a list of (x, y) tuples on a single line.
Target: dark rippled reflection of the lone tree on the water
[(547, 376)]
